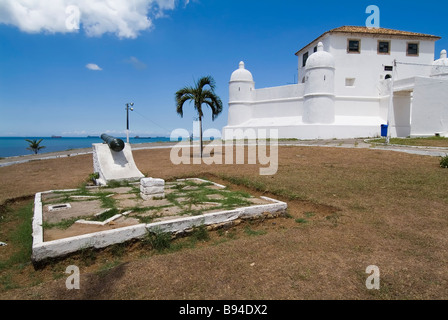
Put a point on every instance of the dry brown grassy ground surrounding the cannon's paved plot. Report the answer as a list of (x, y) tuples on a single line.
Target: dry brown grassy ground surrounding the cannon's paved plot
[(349, 208)]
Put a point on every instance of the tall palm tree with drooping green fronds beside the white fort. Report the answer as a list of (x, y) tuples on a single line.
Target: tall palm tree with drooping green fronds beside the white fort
[(200, 95)]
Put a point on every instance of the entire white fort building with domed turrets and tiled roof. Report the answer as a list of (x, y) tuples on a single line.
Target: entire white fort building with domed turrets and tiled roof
[(352, 80)]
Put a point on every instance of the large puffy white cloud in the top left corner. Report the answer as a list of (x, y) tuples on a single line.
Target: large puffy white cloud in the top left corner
[(124, 18)]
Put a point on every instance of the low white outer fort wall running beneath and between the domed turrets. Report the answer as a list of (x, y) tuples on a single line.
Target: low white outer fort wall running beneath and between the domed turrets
[(282, 108)]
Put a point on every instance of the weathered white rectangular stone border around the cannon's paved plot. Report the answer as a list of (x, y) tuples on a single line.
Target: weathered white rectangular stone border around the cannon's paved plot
[(56, 248)]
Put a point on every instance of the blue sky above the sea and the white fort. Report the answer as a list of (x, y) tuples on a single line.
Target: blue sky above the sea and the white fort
[(46, 88)]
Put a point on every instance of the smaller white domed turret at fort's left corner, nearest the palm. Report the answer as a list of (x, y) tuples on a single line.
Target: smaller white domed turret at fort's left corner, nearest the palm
[(241, 95)]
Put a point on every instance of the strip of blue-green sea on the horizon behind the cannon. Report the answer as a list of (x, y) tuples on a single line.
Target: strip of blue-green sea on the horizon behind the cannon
[(17, 146)]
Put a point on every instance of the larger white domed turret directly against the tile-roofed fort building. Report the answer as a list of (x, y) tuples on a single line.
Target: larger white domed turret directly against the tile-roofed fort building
[(319, 88)]
